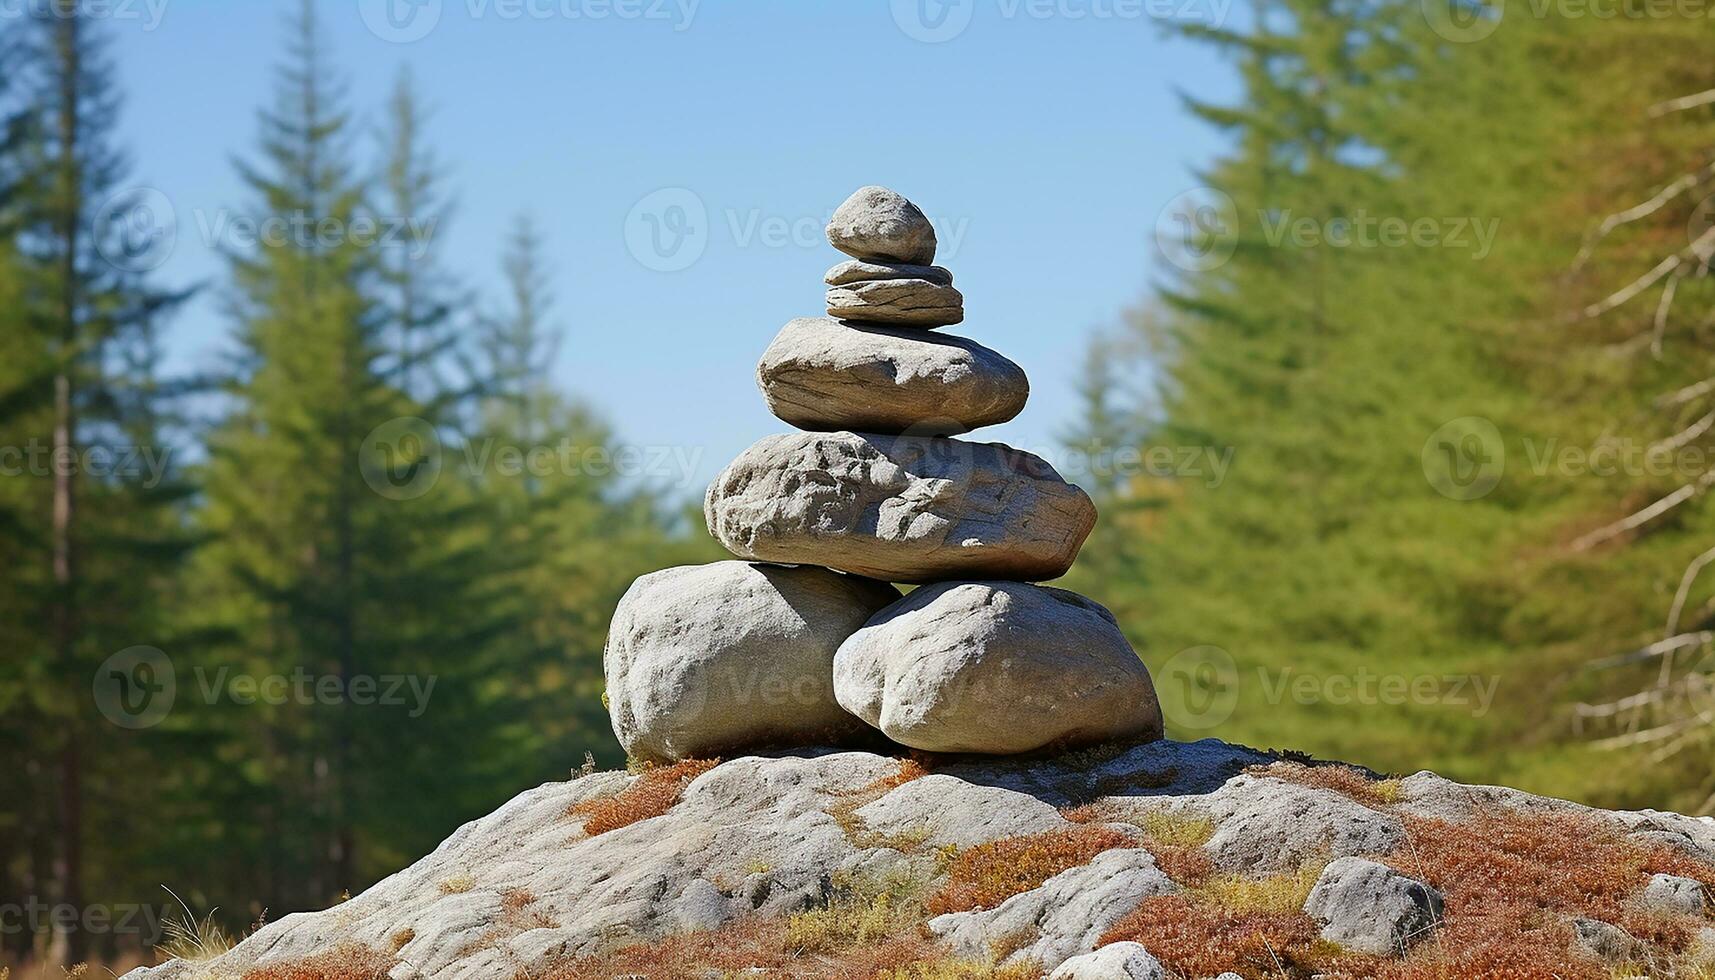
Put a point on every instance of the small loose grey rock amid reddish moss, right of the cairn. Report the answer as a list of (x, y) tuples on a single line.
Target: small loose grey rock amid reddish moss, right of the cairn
[(1373, 909)]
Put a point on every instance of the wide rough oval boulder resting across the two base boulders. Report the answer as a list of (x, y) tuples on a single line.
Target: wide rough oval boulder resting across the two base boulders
[(900, 509)]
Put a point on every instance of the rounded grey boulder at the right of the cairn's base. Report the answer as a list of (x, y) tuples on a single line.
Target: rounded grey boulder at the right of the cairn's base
[(996, 668)]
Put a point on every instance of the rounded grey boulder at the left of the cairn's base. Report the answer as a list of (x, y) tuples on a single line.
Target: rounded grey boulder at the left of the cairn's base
[(709, 658)]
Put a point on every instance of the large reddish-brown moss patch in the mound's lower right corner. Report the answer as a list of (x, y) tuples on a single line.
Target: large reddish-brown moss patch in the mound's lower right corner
[(1513, 881)]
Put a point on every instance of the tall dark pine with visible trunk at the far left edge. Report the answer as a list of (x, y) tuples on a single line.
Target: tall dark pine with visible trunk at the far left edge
[(87, 301)]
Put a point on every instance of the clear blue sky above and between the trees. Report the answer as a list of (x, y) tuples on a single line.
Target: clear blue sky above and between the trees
[(1045, 138)]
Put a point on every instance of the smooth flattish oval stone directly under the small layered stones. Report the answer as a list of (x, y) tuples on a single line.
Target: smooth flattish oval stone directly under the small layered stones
[(824, 375)]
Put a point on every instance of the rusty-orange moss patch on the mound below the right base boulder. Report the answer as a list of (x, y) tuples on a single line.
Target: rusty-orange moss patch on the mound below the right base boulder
[(989, 874)]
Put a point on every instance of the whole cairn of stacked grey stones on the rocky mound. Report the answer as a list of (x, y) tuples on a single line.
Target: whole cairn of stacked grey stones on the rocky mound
[(807, 641)]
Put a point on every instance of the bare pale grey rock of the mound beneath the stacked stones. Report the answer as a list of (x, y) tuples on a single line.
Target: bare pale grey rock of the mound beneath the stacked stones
[(766, 837)]
